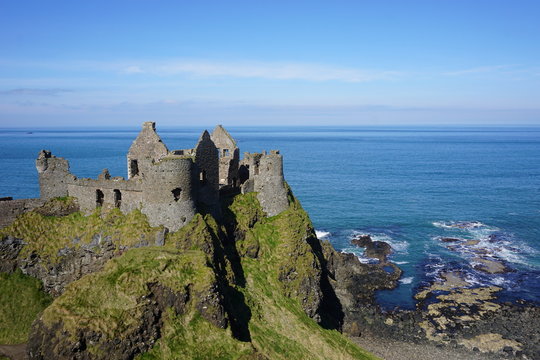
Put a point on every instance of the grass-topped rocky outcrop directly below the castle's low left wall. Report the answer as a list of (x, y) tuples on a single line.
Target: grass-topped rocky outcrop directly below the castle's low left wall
[(60, 249)]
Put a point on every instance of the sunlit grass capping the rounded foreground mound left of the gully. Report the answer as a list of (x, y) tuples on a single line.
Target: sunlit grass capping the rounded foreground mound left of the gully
[(109, 302)]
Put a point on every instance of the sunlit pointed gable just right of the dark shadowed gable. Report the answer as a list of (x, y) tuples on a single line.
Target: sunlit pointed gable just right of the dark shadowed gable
[(229, 156)]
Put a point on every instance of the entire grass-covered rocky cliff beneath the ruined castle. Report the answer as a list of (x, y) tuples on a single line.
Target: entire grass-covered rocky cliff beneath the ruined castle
[(248, 286)]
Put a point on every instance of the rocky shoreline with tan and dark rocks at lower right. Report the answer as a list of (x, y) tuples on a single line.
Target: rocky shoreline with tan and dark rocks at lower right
[(454, 315)]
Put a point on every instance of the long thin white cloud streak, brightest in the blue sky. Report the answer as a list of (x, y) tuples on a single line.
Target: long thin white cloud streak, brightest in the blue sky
[(272, 71)]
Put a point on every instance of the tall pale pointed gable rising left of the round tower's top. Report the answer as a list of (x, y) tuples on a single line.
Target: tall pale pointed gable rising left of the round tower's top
[(145, 150)]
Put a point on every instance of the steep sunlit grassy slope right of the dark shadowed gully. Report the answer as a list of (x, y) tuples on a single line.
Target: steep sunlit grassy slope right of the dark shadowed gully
[(279, 327)]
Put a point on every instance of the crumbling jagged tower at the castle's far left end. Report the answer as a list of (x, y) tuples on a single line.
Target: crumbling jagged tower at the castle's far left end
[(53, 175)]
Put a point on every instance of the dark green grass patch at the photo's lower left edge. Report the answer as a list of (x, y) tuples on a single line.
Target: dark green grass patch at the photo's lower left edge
[(21, 299)]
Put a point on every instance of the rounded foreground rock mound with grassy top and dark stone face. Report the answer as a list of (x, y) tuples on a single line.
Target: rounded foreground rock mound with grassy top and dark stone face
[(117, 313)]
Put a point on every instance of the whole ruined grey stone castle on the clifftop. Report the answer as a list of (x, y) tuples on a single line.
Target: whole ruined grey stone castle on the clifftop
[(171, 186)]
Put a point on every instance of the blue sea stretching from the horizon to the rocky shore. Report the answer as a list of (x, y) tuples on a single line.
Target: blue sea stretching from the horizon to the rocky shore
[(408, 186)]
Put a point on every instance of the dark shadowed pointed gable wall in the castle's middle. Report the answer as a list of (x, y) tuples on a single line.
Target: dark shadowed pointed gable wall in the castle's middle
[(207, 164)]
